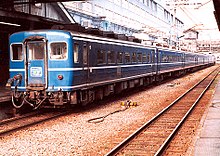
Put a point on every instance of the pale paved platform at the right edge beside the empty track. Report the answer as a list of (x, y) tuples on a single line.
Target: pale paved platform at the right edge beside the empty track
[(208, 141)]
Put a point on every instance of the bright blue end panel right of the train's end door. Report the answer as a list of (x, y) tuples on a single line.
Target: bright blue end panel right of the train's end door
[(60, 62)]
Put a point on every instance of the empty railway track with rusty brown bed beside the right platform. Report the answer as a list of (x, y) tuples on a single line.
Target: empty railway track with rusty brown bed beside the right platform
[(154, 136)]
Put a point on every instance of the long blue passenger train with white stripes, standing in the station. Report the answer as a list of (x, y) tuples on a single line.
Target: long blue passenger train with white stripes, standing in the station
[(61, 68)]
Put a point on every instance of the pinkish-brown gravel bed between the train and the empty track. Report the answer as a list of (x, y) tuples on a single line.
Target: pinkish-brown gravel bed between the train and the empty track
[(74, 135)]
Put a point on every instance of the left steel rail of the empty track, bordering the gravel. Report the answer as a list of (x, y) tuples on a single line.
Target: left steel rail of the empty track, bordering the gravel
[(119, 147)]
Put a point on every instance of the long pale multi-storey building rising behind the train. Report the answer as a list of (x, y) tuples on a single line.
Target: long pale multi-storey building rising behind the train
[(148, 20)]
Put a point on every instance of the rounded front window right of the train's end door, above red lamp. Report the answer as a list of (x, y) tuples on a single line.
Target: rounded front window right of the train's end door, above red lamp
[(58, 50)]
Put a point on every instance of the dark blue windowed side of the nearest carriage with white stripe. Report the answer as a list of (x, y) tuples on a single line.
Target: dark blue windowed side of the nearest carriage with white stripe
[(100, 62)]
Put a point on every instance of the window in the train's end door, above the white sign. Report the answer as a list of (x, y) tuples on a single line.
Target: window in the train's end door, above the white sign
[(36, 50)]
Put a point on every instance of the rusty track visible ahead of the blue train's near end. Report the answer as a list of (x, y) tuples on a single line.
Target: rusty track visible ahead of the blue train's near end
[(17, 123)]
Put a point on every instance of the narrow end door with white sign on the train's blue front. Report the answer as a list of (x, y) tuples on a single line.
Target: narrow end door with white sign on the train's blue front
[(36, 73)]
